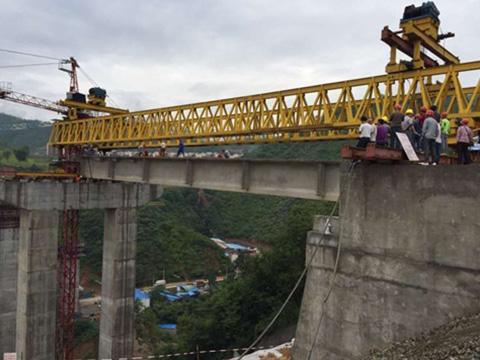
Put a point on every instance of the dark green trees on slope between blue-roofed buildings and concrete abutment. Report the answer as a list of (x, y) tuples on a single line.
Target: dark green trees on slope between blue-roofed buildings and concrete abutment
[(240, 308)]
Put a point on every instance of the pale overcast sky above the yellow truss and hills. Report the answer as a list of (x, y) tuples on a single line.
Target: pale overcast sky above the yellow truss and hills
[(156, 53)]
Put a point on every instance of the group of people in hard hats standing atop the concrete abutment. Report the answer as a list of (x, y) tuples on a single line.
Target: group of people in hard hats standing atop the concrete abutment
[(428, 132)]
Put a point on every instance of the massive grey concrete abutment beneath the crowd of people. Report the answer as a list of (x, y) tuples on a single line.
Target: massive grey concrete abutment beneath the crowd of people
[(410, 259)]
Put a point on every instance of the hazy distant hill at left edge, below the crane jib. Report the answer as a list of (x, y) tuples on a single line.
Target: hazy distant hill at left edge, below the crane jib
[(16, 132)]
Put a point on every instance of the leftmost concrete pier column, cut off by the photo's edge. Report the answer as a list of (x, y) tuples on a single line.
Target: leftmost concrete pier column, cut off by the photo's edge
[(8, 278)]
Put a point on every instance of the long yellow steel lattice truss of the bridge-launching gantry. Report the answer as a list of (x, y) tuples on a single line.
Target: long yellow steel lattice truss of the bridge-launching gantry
[(321, 112)]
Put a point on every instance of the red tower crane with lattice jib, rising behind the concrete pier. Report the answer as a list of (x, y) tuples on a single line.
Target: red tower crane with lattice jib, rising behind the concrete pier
[(73, 107)]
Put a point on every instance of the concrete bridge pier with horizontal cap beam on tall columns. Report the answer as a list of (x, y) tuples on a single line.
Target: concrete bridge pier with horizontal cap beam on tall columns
[(28, 296)]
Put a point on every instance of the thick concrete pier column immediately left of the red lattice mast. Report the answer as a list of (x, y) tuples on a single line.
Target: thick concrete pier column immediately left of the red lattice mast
[(37, 284)]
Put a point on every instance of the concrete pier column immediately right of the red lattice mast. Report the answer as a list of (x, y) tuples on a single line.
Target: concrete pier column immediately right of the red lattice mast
[(118, 284)]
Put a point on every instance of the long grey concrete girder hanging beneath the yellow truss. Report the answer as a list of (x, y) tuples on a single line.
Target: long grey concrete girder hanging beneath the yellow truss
[(291, 178)]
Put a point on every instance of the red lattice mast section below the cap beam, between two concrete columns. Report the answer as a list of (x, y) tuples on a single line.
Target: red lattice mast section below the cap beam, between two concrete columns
[(67, 285)]
